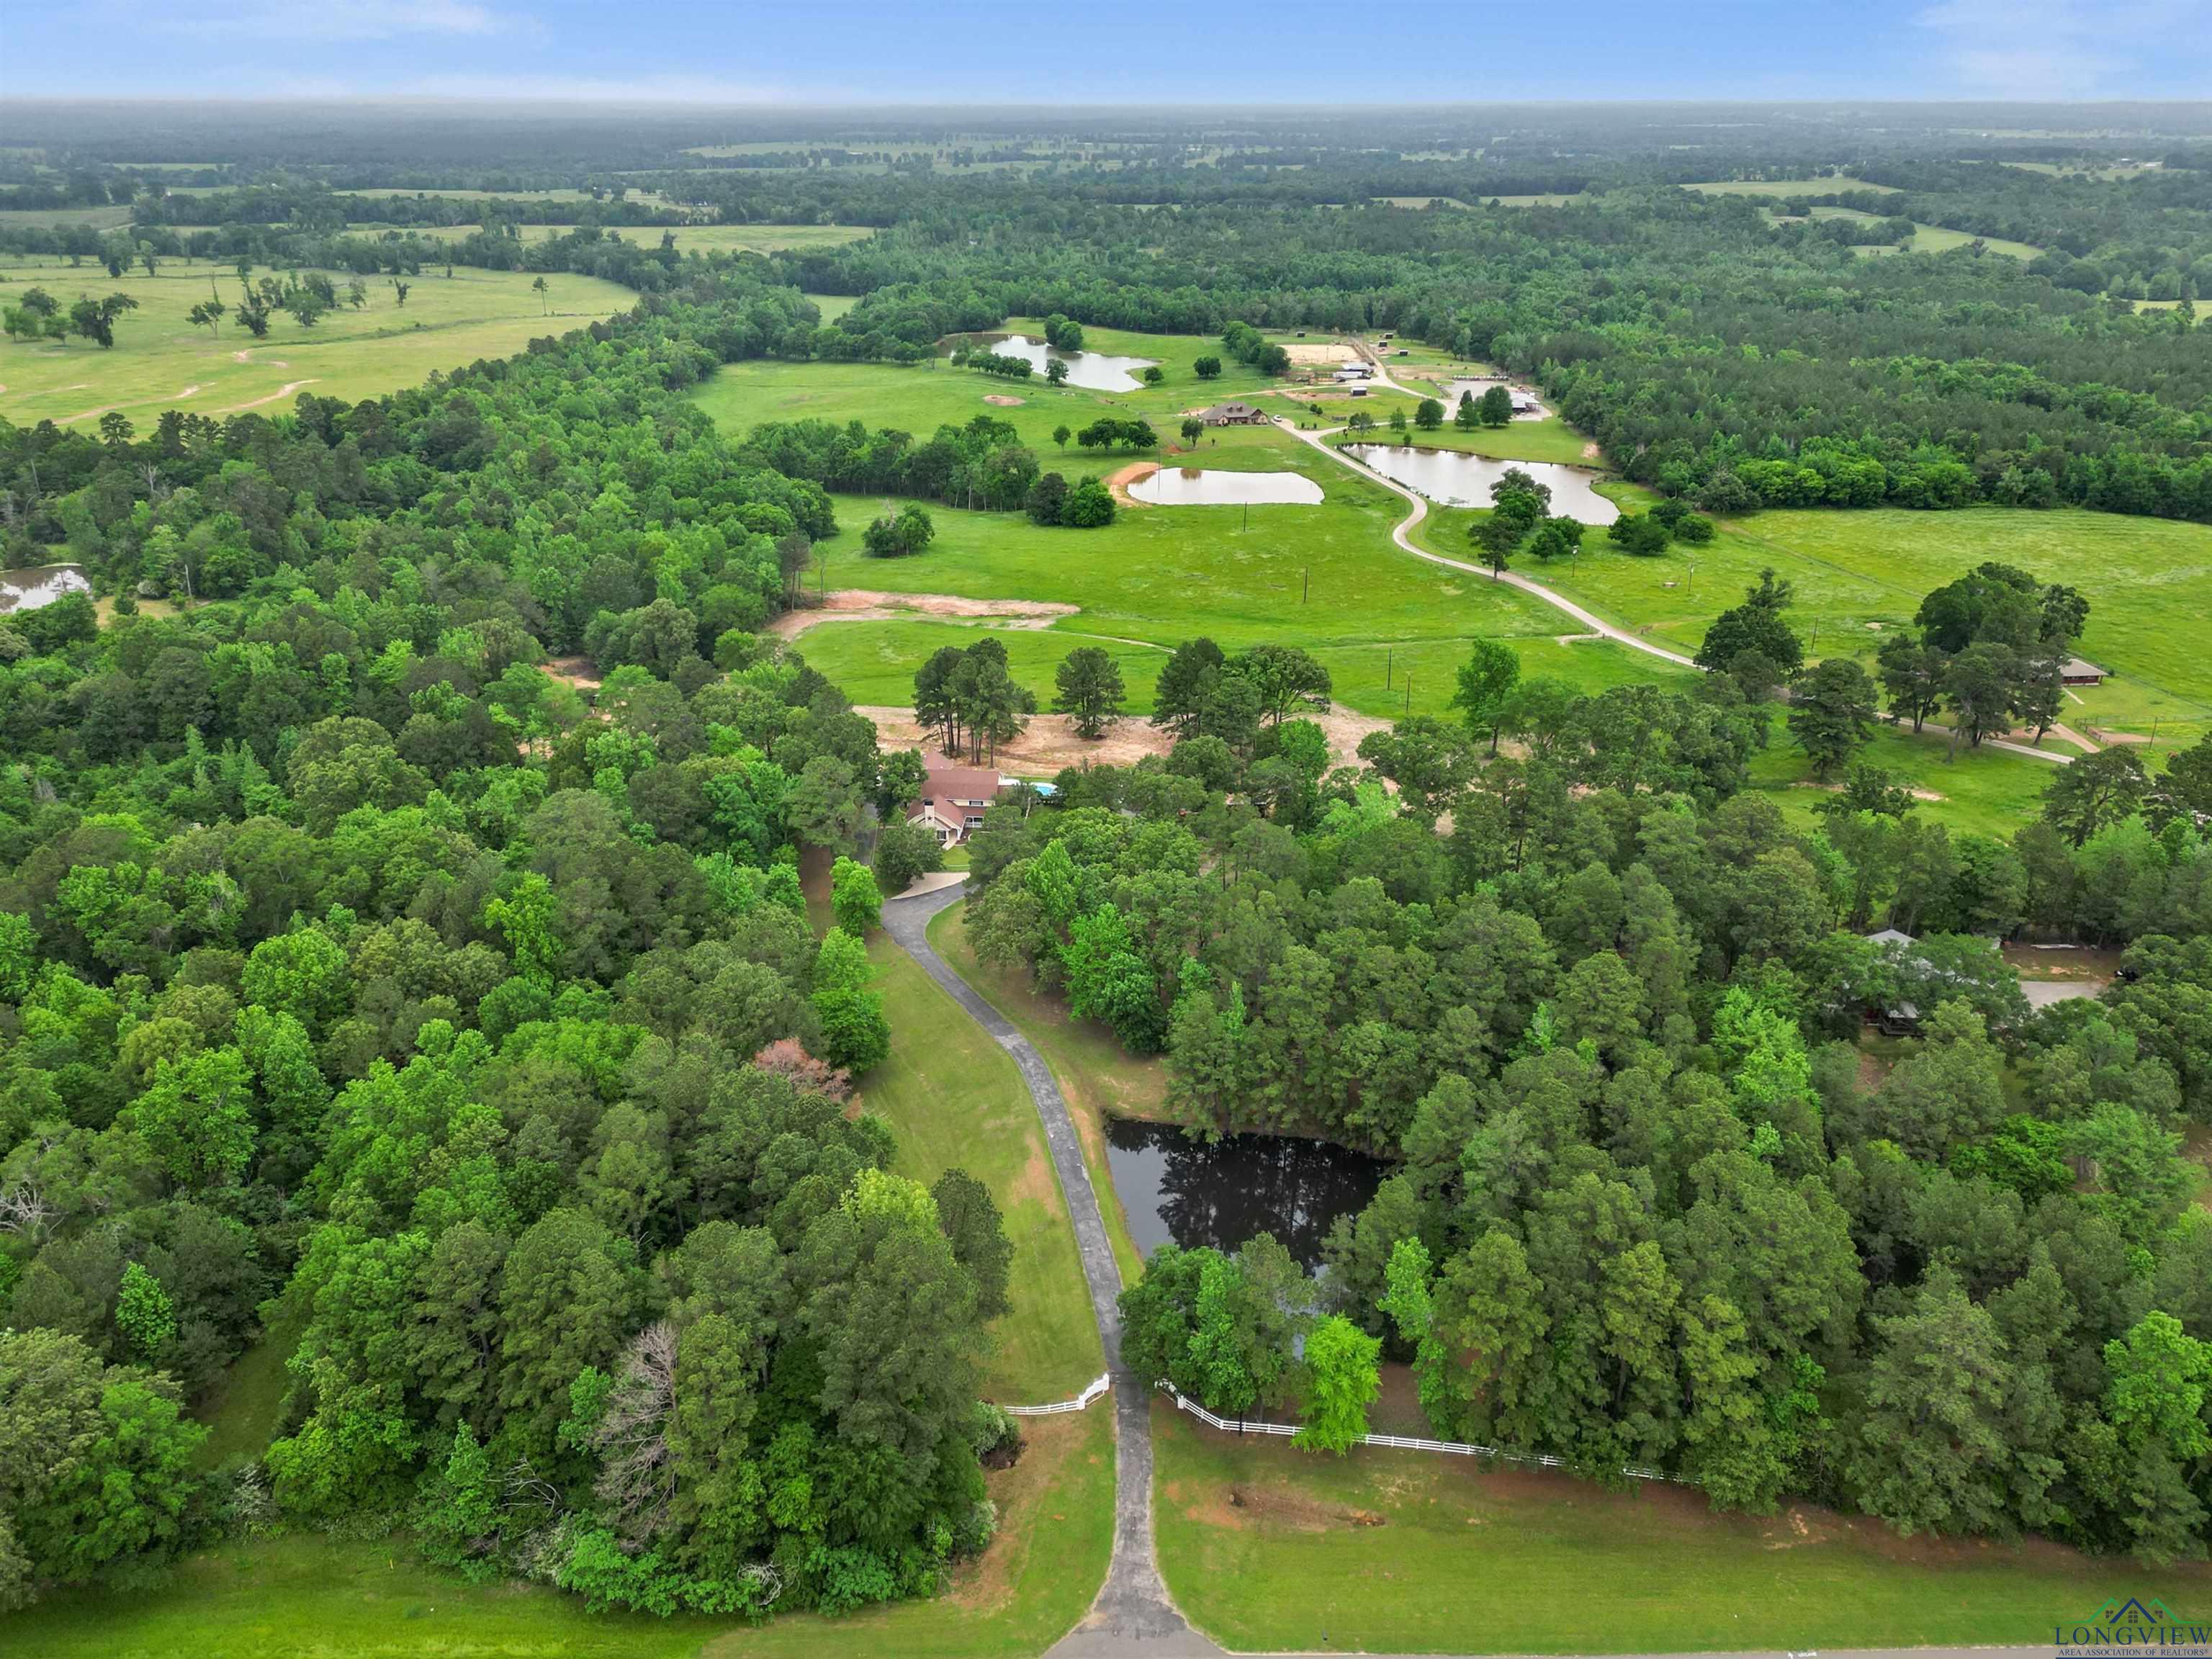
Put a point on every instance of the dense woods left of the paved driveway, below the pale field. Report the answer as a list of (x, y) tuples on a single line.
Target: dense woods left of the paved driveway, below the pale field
[(359, 981)]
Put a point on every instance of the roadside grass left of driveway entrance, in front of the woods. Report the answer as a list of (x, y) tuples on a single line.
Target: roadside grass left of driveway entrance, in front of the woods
[(326, 1598)]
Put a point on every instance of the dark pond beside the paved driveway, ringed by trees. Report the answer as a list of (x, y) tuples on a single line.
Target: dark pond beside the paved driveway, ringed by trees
[(1193, 1193)]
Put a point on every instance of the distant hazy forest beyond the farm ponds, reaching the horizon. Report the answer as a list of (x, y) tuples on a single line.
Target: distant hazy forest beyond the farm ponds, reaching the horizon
[(1733, 351)]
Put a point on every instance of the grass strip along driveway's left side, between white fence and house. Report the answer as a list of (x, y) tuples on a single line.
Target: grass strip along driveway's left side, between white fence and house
[(954, 1098)]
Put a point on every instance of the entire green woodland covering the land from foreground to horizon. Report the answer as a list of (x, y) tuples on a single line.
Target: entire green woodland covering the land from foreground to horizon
[(382, 988)]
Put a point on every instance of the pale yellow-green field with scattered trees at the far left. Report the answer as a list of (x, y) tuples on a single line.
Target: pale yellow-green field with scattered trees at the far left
[(160, 359)]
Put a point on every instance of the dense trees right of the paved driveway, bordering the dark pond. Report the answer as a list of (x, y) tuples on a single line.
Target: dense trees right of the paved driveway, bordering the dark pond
[(1651, 1207)]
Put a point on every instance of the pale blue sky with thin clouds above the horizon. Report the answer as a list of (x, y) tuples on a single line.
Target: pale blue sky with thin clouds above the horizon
[(1036, 52)]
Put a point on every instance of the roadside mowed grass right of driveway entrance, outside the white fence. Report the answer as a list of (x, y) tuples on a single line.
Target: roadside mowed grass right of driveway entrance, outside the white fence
[(1390, 1552)]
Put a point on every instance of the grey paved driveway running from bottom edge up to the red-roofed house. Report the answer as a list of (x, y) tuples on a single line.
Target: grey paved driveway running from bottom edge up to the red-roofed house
[(1134, 1616)]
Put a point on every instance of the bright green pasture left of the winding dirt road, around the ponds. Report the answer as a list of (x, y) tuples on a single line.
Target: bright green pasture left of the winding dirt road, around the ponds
[(1326, 576)]
